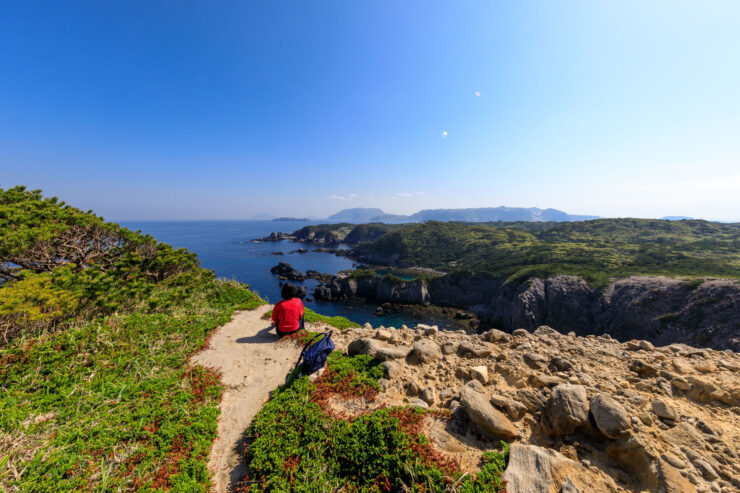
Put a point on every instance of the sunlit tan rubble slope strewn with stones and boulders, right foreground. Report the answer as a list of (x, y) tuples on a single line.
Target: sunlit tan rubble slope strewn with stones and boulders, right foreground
[(583, 414)]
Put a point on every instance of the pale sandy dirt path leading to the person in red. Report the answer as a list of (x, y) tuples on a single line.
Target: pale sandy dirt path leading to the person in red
[(252, 364)]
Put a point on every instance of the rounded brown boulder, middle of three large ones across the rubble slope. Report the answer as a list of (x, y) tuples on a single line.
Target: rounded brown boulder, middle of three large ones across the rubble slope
[(566, 409)]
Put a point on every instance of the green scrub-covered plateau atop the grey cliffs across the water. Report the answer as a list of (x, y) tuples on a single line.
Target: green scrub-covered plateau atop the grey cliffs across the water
[(595, 250)]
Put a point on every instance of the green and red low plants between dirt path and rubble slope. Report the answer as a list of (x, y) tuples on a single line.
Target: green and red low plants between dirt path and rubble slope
[(295, 444)]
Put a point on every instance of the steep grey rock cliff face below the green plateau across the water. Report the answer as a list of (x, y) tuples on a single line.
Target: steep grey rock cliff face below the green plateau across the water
[(661, 310)]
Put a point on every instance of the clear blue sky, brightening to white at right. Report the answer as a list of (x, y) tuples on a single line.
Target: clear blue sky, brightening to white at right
[(194, 109)]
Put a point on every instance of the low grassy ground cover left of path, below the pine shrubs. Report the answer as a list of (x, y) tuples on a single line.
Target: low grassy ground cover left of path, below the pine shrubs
[(112, 404)]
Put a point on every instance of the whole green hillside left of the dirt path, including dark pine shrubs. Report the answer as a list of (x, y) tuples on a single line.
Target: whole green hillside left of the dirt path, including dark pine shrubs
[(98, 324)]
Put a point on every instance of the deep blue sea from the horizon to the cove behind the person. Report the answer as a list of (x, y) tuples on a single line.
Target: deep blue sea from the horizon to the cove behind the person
[(226, 247)]
